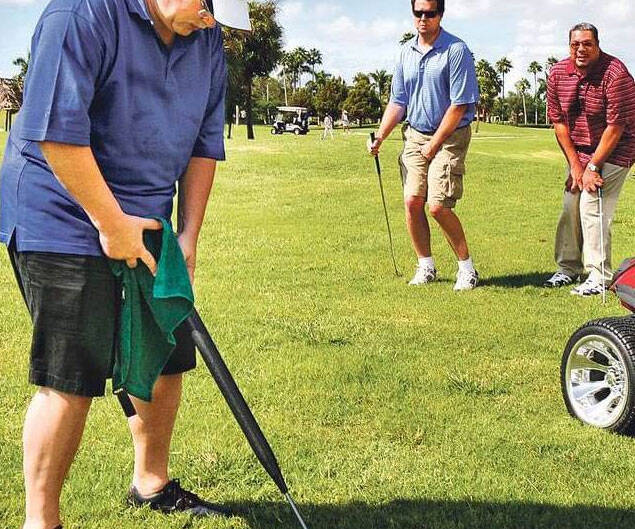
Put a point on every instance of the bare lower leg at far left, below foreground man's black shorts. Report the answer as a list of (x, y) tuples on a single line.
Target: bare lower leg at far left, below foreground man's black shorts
[(53, 428)]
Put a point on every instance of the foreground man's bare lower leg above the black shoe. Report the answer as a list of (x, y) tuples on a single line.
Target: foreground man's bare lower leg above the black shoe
[(151, 432)]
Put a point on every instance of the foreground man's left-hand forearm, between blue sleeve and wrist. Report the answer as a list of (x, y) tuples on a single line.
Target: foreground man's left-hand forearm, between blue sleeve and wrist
[(77, 170)]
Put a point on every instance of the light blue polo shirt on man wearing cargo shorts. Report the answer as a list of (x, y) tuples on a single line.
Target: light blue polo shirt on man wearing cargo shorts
[(428, 82)]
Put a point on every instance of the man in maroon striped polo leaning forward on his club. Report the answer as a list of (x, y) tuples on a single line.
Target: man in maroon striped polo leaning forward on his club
[(592, 106)]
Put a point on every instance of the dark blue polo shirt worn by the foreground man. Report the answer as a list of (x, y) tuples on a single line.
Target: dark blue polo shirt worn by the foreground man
[(100, 76)]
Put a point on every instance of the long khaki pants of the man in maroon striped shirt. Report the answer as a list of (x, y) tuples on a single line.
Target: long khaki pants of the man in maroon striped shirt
[(578, 238)]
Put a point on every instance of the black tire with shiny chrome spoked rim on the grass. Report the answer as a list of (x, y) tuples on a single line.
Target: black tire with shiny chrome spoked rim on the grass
[(597, 374)]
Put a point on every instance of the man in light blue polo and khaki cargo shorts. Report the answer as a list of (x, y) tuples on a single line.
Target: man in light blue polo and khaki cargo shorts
[(434, 86)]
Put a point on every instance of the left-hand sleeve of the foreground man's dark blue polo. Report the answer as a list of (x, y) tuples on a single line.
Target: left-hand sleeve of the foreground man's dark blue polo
[(66, 58)]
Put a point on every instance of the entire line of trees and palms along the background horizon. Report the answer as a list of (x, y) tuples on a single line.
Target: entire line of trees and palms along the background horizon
[(263, 76)]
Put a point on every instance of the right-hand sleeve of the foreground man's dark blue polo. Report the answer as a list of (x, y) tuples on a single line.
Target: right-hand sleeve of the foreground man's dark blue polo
[(210, 142)]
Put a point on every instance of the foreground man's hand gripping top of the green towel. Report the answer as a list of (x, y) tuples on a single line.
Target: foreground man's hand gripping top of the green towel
[(123, 240)]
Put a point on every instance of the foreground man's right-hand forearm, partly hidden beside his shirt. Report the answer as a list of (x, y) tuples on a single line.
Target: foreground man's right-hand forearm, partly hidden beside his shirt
[(194, 190)]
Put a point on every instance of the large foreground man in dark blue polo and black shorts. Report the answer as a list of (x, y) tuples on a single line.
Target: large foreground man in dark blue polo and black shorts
[(122, 97)]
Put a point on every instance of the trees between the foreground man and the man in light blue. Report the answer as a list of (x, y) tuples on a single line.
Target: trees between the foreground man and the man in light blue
[(263, 76)]
